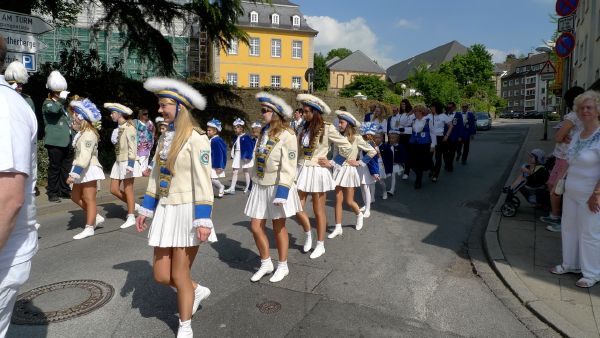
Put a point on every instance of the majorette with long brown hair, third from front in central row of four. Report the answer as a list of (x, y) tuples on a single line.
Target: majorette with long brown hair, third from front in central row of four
[(314, 176)]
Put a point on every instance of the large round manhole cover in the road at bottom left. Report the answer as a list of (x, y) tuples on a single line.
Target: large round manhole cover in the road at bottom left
[(60, 301)]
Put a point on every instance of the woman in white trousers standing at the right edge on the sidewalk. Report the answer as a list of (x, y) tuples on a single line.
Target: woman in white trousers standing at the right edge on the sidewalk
[(581, 199)]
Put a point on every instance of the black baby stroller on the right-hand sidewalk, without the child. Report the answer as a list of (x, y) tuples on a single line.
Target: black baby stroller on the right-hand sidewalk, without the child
[(533, 188)]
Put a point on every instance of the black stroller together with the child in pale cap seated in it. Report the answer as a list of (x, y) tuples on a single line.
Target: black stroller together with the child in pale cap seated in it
[(531, 183)]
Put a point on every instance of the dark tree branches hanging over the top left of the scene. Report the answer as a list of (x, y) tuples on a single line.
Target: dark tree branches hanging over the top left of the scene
[(138, 19)]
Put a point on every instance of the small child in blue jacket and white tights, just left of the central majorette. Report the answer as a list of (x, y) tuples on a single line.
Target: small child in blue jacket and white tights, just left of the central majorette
[(242, 154)]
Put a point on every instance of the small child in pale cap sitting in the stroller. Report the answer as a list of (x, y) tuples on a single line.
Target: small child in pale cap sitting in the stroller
[(533, 174)]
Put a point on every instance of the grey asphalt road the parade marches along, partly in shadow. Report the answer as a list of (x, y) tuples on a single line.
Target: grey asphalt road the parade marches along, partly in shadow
[(407, 273)]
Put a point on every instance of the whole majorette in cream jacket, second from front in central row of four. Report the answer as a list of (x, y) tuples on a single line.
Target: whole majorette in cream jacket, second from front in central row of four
[(273, 195)]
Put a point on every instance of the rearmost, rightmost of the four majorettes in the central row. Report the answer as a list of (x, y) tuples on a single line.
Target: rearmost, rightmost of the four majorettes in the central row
[(346, 176)]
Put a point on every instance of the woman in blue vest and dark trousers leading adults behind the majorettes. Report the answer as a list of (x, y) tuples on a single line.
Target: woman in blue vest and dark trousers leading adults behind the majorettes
[(422, 143)]
